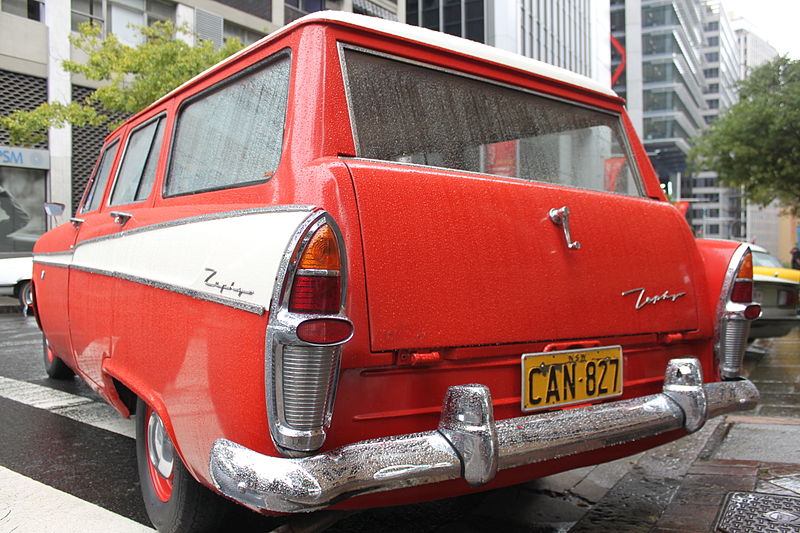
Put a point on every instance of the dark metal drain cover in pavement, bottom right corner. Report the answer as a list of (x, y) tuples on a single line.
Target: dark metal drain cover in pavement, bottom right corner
[(745, 512)]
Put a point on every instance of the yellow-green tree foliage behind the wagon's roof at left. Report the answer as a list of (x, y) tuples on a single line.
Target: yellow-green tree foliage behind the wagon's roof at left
[(133, 77)]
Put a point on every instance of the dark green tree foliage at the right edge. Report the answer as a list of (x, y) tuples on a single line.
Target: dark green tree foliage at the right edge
[(755, 145)]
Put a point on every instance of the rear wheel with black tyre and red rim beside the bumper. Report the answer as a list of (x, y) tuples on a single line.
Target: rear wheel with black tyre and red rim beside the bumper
[(174, 501)]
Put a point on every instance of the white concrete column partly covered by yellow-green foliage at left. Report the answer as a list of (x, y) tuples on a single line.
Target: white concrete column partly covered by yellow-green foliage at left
[(59, 89)]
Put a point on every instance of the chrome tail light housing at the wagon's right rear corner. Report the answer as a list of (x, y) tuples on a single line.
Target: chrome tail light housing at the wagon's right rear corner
[(735, 312)]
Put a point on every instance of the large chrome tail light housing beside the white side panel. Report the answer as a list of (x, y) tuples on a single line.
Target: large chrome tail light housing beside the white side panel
[(307, 327)]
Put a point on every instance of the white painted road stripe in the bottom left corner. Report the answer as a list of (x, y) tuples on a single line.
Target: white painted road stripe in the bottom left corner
[(29, 506)]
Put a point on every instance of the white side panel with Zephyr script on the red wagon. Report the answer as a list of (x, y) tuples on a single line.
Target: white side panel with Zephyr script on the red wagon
[(233, 260)]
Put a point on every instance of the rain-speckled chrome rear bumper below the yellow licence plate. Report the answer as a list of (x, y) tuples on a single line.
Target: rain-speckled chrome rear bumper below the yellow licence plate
[(470, 444)]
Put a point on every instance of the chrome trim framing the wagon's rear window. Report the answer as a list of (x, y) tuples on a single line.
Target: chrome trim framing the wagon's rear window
[(632, 162)]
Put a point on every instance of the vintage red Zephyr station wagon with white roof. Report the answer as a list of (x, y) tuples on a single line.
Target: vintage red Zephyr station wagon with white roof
[(361, 264)]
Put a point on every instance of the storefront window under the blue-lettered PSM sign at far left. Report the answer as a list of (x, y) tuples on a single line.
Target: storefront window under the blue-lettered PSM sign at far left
[(22, 220)]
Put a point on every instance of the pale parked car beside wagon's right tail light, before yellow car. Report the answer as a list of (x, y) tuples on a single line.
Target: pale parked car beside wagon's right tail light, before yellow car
[(778, 298)]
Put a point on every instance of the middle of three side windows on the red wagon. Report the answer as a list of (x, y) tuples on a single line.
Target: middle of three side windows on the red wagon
[(137, 172)]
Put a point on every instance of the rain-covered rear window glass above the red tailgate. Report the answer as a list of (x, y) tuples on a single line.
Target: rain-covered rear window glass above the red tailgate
[(415, 114)]
